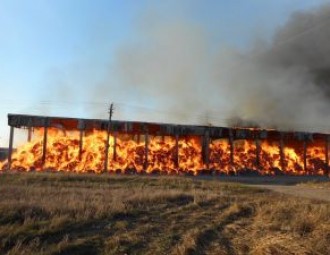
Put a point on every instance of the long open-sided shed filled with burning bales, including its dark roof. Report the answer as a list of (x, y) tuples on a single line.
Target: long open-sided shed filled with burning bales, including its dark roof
[(80, 145)]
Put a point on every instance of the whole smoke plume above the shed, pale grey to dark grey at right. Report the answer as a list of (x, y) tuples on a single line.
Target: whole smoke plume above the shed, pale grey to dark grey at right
[(283, 84)]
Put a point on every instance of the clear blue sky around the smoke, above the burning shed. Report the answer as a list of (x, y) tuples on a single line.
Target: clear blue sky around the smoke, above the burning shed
[(55, 54)]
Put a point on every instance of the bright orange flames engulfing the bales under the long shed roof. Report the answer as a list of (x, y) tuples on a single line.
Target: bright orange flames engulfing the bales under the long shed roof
[(129, 153)]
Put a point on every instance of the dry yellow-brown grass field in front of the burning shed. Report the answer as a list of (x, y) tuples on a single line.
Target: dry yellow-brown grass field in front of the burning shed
[(48, 213)]
